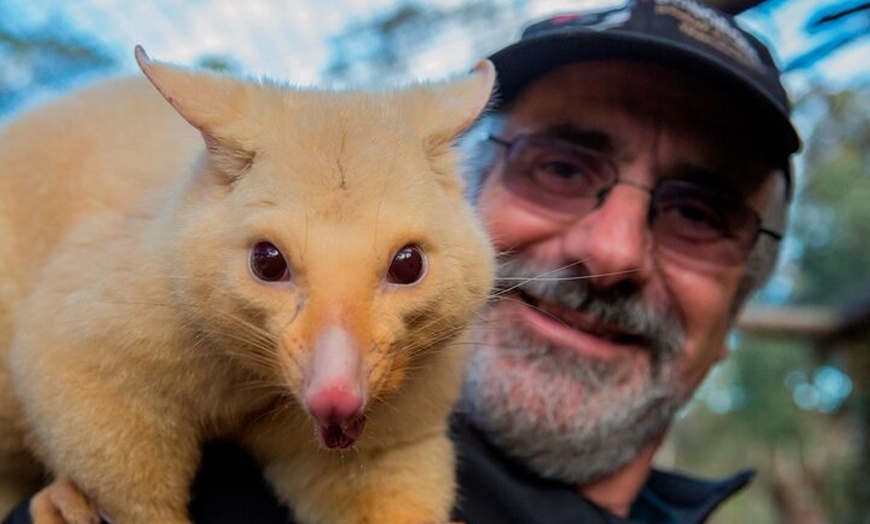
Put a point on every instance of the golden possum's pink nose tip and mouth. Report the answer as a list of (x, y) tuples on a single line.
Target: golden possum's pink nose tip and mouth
[(339, 417)]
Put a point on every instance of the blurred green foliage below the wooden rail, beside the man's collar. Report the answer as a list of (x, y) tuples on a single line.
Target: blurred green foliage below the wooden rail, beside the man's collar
[(802, 454)]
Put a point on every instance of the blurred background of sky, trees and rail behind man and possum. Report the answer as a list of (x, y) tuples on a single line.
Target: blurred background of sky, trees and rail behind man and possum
[(792, 401)]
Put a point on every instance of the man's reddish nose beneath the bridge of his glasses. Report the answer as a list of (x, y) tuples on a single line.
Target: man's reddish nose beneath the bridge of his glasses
[(614, 241)]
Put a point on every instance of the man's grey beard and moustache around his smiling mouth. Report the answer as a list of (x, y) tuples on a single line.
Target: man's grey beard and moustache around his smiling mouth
[(567, 416)]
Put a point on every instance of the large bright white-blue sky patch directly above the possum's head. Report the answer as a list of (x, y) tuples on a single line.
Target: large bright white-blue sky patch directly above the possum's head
[(281, 39)]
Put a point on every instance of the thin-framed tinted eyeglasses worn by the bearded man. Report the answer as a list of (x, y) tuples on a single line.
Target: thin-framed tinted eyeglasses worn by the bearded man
[(560, 177)]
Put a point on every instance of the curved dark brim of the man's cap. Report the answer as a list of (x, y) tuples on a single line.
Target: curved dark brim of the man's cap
[(523, 62)]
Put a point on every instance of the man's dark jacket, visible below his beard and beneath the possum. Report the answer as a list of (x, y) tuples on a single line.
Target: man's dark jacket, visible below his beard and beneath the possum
[(229, 489)]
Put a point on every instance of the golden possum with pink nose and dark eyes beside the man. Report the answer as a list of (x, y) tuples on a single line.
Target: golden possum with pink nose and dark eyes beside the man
[(291, 268)]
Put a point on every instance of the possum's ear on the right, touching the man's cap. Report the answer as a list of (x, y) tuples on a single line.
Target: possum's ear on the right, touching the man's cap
[(459, 103)]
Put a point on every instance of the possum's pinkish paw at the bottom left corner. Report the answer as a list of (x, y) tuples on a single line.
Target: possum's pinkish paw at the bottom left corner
[(61, 502)]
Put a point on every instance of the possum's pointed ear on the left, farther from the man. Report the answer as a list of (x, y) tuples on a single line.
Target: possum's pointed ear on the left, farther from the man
[(211, 103)]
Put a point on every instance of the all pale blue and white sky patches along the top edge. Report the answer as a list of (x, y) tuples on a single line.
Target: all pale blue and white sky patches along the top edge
[(289, 38)]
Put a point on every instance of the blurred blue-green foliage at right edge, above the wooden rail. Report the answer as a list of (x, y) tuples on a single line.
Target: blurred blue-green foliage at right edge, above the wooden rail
[(831, 219)]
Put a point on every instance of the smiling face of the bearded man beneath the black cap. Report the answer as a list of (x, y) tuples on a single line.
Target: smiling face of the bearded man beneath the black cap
[(604, 332)]
